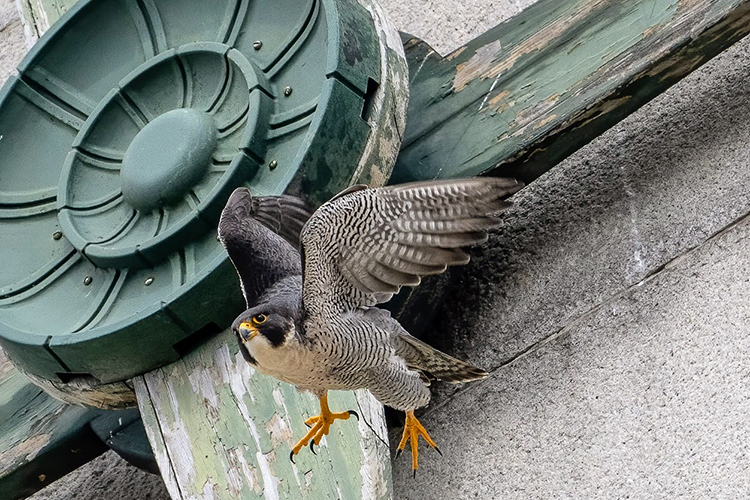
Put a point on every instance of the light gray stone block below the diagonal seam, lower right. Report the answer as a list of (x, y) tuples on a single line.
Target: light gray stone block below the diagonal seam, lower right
[(644, 397)]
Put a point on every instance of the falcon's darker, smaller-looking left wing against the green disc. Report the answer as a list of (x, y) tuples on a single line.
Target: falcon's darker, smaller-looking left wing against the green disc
[(251, 230)]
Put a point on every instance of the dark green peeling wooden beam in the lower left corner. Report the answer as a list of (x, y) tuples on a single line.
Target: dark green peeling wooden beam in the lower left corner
[(41, 439)]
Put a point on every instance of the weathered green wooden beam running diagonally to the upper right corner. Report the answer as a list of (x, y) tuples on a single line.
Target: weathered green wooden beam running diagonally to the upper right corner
[(527, 93)]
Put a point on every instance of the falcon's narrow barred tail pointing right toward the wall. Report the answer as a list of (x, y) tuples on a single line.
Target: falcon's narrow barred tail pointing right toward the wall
[(437, 364)]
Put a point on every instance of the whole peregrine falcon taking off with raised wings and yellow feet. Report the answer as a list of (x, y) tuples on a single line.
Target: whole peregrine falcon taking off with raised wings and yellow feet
[(312, 319)]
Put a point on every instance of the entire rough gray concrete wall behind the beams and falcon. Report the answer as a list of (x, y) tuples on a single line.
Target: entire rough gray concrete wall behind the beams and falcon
[(611, 308)]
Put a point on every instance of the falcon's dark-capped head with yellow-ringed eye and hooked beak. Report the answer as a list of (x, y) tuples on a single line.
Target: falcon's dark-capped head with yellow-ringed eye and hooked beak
[(264, 323)]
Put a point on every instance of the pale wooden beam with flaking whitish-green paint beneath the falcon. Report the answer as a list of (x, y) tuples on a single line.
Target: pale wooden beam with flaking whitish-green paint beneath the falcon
[(220, 430)]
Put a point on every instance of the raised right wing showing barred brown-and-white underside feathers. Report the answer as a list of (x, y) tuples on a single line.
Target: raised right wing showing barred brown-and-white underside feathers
[(361, 248)]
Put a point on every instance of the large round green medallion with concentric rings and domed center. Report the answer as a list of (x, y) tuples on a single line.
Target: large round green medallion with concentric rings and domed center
[(127, 128)]
